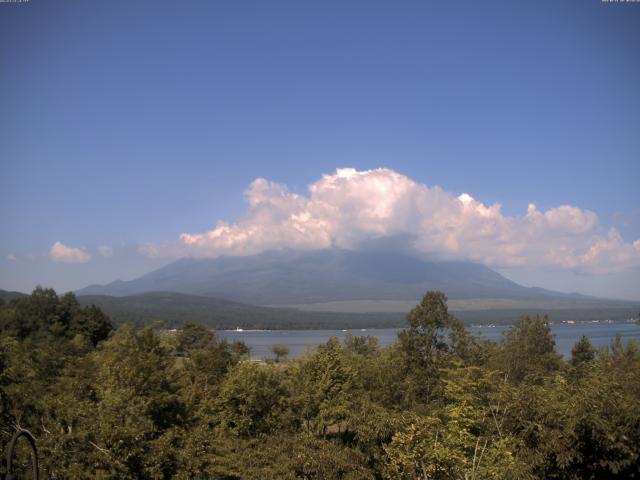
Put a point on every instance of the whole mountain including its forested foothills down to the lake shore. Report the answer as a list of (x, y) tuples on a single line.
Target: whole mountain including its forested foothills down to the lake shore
[(328, 289)]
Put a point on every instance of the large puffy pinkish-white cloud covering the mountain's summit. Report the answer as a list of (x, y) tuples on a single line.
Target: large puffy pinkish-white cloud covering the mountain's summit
[(348, 207)]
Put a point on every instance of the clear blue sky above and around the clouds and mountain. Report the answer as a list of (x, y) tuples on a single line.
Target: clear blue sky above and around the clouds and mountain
[(123, 123)]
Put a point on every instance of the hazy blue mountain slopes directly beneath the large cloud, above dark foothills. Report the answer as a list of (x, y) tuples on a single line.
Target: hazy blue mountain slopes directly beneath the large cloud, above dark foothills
[(289, 277)]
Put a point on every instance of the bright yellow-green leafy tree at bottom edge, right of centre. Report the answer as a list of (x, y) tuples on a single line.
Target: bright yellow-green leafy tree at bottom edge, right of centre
[(465, 438)]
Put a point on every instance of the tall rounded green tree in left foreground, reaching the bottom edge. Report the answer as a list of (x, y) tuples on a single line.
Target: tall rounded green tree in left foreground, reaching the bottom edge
[(137, 402)]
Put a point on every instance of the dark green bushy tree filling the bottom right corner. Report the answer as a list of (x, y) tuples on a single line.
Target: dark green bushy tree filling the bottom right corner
[(576, 430)]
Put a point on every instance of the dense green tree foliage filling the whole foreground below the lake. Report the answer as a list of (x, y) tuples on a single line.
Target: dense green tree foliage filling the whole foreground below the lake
[(438, 404)]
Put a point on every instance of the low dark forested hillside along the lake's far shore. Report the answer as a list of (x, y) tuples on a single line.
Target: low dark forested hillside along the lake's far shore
[(172, 309)]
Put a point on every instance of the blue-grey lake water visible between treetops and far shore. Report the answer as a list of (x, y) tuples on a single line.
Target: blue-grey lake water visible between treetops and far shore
[(298, 341)]
